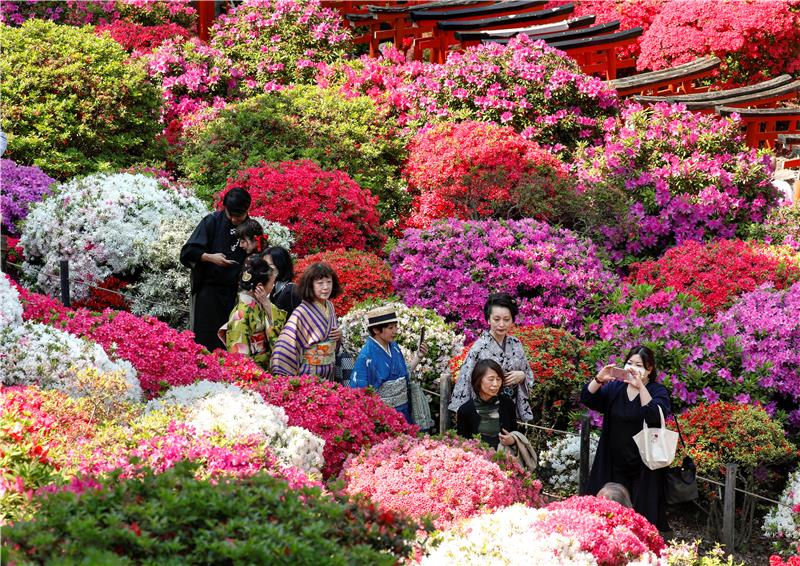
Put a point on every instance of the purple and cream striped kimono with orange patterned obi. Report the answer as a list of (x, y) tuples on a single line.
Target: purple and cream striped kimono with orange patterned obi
[(303, 347)]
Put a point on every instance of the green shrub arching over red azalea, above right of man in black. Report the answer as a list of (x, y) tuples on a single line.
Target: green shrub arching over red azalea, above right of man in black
[(305, 122)]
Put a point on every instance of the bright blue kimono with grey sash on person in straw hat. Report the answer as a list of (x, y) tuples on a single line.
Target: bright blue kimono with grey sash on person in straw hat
[(386, 373)]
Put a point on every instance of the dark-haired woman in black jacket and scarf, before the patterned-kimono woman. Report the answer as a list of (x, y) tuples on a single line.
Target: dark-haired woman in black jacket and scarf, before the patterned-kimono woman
[(491, 414)]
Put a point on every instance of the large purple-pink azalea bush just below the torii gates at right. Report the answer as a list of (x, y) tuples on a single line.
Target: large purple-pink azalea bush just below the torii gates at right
[(684, 176)]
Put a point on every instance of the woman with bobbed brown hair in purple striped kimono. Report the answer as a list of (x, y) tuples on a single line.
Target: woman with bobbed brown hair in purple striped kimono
[(309, 341)]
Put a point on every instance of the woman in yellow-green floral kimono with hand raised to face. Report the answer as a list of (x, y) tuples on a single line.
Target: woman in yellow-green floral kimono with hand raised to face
[(254, 323)]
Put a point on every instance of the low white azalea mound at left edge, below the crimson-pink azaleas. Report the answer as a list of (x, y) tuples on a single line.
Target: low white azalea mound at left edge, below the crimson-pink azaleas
[(37, 354)]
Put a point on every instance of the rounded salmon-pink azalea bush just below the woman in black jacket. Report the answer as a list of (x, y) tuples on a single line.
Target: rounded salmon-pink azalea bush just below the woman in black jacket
[(450, 479)]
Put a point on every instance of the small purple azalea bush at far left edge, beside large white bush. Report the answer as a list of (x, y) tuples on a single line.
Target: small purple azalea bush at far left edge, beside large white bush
[(20, 186)]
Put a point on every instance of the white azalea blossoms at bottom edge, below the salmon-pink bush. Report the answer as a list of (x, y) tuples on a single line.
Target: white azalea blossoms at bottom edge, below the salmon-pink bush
[(508, 537)]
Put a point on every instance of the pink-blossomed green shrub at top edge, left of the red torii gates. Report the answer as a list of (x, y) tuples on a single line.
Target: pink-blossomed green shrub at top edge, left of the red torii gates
[(280, 42)]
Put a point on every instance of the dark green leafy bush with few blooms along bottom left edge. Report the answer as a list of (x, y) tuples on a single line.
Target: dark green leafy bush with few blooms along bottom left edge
[(173, 518)]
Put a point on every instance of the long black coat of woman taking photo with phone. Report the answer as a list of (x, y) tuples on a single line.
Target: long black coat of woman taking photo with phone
[(648, 496)]
